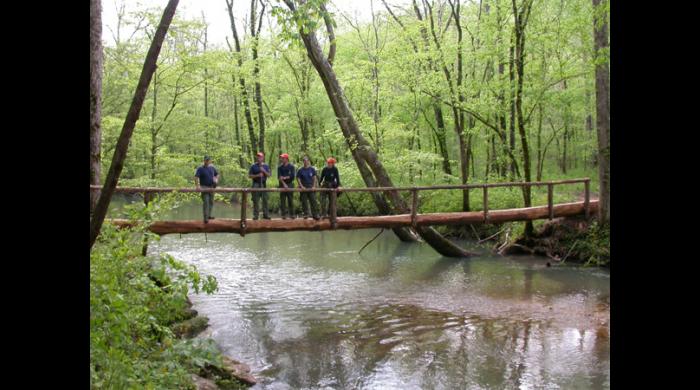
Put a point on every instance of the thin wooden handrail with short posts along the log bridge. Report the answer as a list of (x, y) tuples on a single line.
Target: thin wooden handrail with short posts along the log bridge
[(149, 191)]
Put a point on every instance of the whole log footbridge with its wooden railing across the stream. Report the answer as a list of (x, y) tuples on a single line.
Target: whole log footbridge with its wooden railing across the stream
[(410, 218)]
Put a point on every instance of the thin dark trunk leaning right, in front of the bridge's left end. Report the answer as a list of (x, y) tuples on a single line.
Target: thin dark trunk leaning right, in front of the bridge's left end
[(115, 169)]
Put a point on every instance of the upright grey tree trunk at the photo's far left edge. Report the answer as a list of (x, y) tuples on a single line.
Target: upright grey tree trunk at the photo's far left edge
[(95, 96)]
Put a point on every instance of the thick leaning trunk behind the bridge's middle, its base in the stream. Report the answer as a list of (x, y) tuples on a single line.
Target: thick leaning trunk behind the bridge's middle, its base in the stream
[(362, 151)]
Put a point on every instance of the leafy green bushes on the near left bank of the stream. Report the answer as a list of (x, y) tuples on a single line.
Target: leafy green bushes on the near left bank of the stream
[(137, 304)]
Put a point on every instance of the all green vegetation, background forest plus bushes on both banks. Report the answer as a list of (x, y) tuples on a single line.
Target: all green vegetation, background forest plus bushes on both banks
[(443, 92)]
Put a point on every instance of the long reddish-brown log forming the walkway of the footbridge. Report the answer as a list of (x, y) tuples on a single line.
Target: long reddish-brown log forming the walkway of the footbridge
[(372, 222)]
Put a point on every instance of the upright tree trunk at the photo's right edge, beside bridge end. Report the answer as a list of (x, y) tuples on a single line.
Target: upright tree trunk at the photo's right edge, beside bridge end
[(602, 89)]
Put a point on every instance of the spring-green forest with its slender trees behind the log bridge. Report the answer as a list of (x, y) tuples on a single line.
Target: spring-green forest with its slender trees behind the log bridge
[(436, 87)]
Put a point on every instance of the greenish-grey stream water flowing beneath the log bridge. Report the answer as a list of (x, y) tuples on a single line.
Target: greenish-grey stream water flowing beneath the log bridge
[(305, 310)]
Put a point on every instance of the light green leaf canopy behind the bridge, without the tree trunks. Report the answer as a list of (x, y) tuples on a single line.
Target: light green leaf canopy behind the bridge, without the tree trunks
[(195, 105)]
